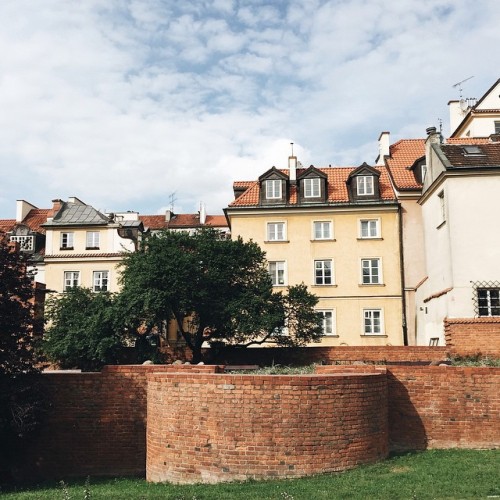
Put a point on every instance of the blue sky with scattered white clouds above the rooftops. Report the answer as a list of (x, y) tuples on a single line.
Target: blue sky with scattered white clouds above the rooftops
[(147, 105)]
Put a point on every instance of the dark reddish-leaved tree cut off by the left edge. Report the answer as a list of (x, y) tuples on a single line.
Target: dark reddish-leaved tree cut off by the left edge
[(21, 398)]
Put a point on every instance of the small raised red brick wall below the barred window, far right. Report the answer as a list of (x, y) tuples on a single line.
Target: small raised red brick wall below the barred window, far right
[(468, 337)]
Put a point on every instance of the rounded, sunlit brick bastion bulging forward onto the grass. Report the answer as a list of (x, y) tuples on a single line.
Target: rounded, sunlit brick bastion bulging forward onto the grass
[(222, 427)]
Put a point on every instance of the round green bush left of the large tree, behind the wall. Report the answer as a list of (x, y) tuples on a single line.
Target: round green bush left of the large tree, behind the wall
[(83, 331)]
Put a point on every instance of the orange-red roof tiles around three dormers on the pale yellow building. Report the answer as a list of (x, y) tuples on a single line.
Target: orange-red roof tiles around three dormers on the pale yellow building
[(337, 187)]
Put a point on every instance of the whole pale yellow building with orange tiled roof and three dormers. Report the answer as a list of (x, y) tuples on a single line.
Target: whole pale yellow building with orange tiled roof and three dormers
[(336, 230)]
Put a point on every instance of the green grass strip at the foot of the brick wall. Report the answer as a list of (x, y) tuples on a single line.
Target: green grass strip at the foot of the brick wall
[(437, 474)]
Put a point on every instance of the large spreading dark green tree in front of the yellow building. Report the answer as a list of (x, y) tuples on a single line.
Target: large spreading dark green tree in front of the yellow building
[(217, 290)]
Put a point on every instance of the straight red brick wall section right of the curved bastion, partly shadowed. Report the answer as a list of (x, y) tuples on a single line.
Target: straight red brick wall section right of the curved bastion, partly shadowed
[(443, 407)]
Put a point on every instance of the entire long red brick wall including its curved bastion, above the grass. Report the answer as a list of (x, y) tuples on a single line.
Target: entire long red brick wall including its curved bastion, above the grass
[(97, 421)]
